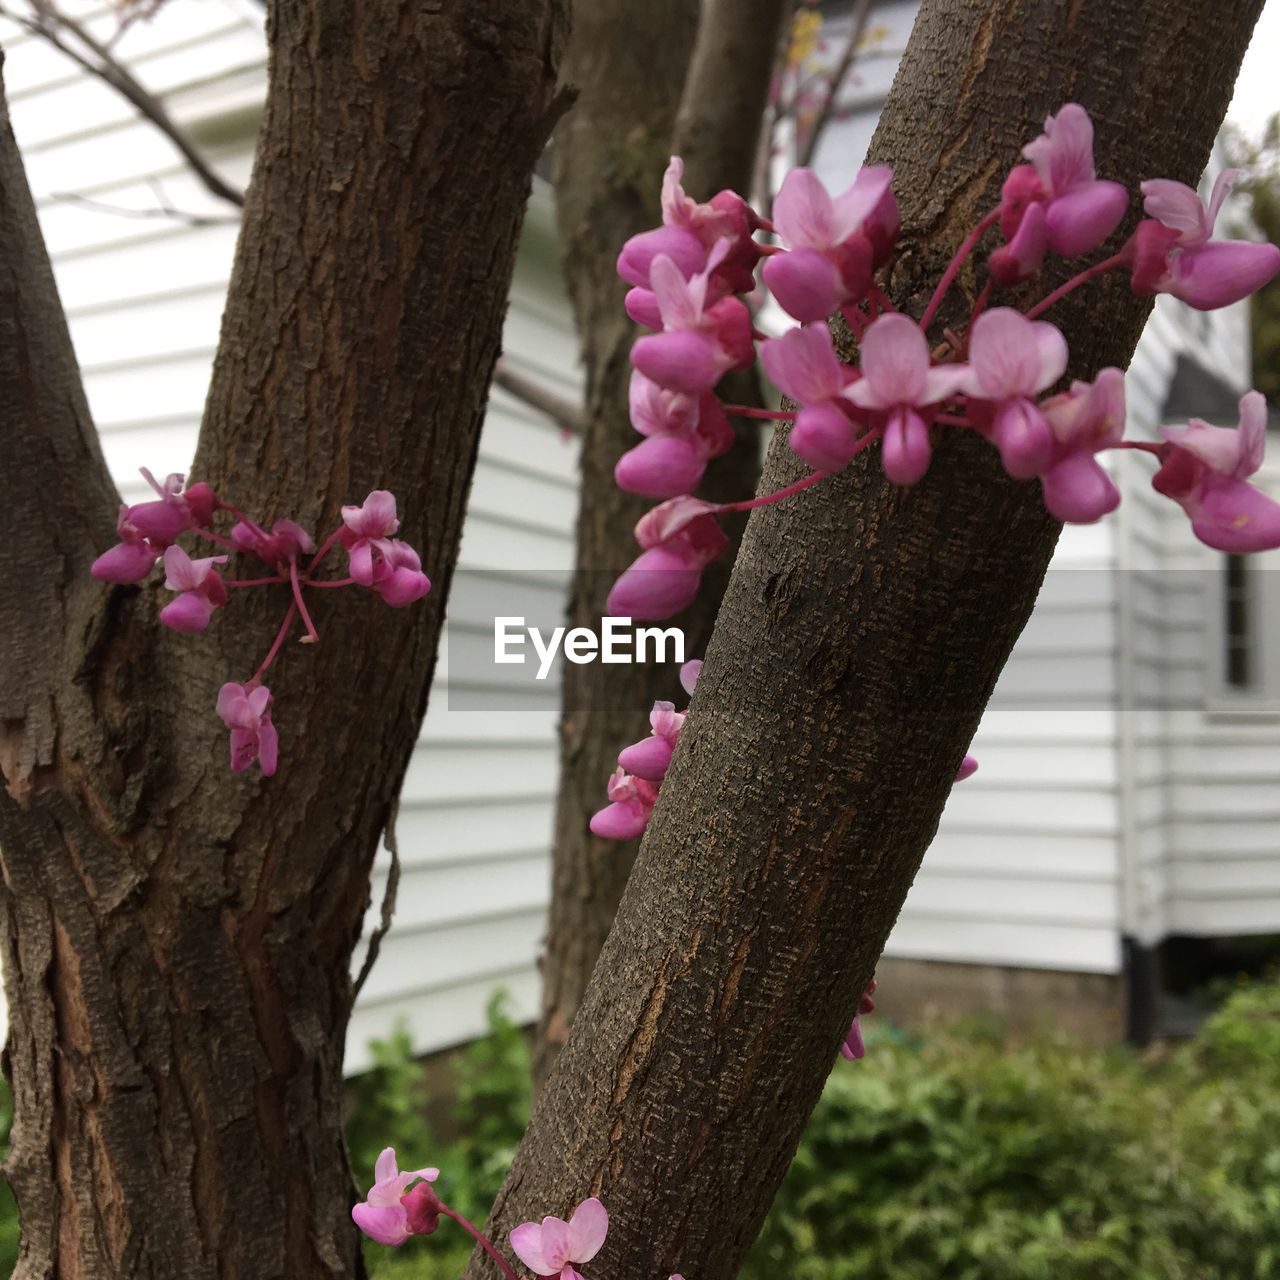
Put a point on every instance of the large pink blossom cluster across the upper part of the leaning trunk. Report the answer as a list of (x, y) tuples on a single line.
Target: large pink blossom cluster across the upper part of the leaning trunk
[(996, 376)]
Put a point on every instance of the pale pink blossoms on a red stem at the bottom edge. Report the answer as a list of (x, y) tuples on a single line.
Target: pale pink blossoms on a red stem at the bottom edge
[(404, 1204)]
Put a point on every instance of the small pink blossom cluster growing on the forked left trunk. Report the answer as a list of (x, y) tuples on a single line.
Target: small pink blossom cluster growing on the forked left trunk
[(149, 532)]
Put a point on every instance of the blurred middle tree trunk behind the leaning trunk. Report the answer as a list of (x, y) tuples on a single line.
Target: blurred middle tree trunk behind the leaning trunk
[(629, 62)]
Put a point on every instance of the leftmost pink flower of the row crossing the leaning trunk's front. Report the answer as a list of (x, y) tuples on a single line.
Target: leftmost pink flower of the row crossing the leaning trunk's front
[(803, 365)]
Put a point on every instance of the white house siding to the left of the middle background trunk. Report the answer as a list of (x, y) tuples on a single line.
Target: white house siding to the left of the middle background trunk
[(144, 298)]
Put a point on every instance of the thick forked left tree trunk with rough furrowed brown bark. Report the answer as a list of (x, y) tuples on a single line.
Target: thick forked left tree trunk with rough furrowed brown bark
[(177, 940)]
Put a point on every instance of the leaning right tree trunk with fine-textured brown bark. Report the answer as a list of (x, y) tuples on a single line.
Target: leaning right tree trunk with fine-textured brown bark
[(857, 647)]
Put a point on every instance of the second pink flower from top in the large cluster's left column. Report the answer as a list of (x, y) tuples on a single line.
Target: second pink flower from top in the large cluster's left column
[(700, 342)]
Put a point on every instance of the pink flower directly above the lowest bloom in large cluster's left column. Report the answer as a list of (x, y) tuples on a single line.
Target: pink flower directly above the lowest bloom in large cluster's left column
[(683, 436)]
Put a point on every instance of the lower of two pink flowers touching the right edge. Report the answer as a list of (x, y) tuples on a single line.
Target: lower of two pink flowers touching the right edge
[(1205, 470)]
